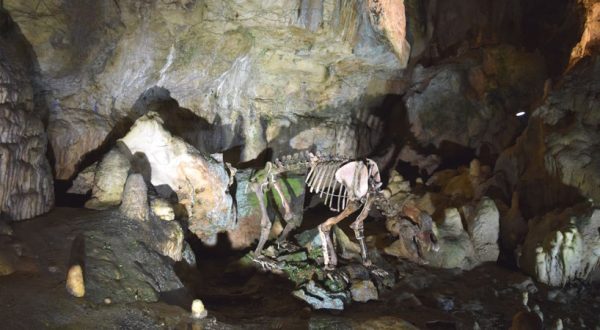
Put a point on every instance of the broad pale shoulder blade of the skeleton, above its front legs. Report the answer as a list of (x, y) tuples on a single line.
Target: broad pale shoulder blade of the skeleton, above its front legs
[(360, 177)]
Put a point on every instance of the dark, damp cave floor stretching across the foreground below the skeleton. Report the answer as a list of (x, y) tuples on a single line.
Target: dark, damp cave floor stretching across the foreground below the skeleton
[(487, 296)]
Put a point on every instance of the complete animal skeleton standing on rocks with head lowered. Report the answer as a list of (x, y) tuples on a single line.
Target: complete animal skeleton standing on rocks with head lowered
[(345, 185)]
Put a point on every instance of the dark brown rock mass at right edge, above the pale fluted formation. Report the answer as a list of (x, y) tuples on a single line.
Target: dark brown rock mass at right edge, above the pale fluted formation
[(563, 132)]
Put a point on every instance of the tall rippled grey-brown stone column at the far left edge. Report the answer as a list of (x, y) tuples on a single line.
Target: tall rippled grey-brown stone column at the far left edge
[(26, 186)]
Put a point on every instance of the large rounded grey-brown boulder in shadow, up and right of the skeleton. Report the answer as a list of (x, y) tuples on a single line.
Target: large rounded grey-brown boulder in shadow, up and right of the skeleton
[(472, 101)]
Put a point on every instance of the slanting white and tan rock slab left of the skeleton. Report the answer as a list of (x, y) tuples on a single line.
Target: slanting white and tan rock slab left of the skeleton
[(200, 182)]
